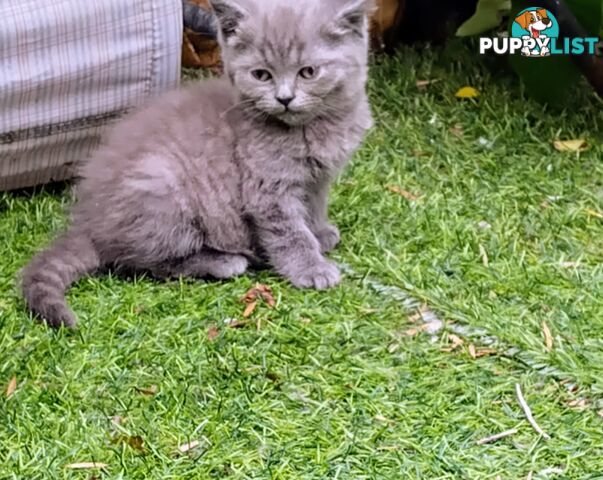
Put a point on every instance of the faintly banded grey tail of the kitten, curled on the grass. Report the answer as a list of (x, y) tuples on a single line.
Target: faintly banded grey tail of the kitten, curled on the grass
[(50, 273)]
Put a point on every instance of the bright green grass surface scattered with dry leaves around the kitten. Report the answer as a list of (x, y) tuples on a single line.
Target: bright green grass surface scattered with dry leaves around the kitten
[(330, 385)]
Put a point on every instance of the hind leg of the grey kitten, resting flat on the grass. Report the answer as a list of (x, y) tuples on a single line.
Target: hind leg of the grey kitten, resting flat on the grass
[(206, 263)]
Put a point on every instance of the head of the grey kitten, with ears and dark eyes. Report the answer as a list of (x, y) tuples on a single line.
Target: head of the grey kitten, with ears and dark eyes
[(298, 60)]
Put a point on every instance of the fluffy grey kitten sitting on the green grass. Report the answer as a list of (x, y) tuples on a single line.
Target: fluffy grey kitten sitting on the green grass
[(228, 173)]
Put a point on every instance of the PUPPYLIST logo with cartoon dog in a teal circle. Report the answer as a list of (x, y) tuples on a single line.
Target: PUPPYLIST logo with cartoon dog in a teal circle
[(535, 33)]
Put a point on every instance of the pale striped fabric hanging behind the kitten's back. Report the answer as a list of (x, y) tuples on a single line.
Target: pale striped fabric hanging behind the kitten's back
[(70, 67)]
